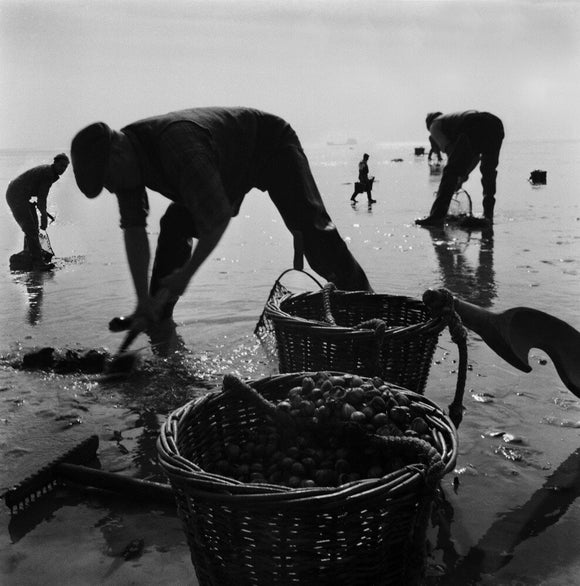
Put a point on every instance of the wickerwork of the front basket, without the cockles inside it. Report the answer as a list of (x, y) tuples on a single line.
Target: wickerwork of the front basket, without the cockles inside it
[(366, 532)]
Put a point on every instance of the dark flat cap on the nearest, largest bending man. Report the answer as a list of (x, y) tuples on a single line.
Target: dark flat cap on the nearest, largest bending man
[(90, 150)]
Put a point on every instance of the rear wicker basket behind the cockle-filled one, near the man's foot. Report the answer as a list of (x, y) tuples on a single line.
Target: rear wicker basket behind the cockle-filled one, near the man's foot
[(364, 333)]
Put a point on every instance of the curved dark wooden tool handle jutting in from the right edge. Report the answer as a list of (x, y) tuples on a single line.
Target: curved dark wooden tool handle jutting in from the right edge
[(511, 334)]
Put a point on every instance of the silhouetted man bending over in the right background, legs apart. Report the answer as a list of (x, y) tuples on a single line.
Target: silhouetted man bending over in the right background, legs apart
[(467, 138)]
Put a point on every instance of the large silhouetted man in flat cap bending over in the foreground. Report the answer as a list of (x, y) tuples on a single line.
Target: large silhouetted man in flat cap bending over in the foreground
[(205, 160)]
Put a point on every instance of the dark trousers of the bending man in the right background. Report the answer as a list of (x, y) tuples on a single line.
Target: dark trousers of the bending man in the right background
[(479, 142)]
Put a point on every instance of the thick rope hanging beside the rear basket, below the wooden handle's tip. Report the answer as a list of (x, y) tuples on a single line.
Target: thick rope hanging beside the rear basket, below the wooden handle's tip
[(443, 305)]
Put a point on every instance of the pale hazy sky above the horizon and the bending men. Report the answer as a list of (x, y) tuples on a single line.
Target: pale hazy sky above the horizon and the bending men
[(369, 69)]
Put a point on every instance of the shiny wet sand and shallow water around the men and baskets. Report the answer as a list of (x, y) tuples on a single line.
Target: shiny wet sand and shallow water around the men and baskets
[(515, 516)]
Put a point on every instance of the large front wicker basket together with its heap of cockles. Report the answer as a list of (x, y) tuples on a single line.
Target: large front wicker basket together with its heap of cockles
[(307, 479)]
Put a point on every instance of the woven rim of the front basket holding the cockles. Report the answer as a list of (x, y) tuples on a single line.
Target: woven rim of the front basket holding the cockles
[(185, 473)]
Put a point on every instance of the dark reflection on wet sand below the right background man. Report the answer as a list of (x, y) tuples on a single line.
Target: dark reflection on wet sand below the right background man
[(470, 276)]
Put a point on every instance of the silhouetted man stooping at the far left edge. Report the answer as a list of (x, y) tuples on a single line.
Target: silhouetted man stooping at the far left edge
[(34, 184)]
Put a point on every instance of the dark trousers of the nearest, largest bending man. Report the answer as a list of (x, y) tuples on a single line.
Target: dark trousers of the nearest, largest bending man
[(291, 186)]
